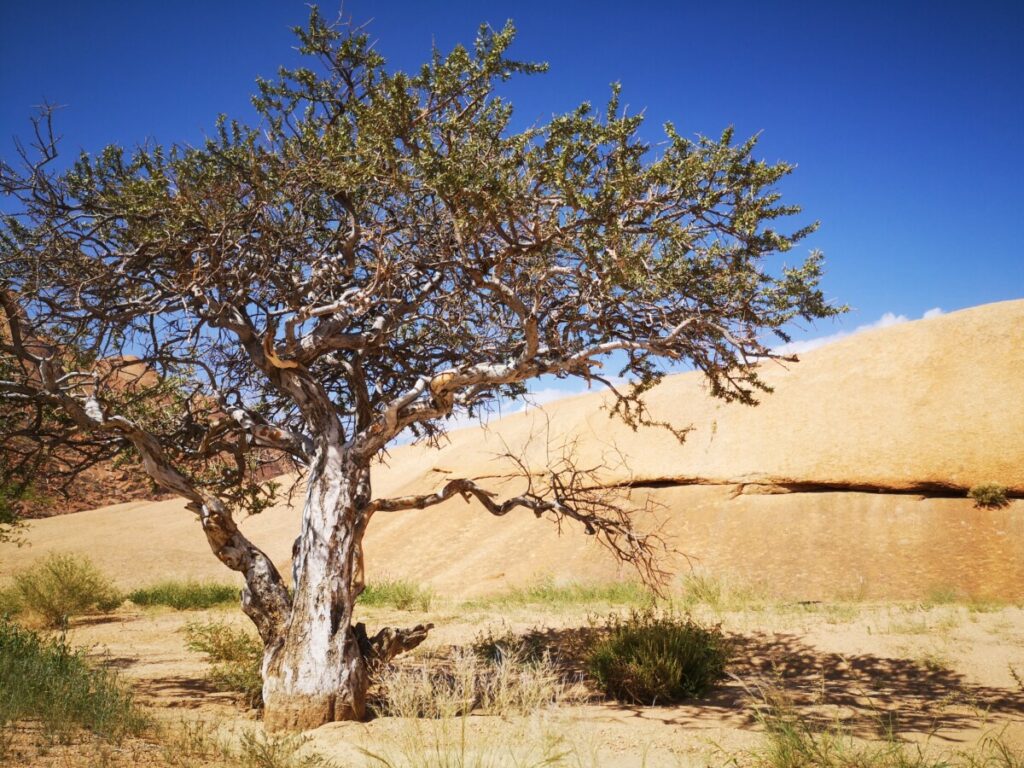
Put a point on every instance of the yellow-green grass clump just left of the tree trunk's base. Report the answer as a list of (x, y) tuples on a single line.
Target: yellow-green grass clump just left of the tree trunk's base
[(235, 656)]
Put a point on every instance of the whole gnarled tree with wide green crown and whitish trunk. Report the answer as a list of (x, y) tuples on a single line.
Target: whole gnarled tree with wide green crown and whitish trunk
[(379, 252)]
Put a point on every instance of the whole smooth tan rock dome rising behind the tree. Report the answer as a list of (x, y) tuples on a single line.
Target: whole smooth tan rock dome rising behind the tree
[(779, 494)]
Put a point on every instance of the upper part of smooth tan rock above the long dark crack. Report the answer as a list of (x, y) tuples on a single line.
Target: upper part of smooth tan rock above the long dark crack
[(930, 407)]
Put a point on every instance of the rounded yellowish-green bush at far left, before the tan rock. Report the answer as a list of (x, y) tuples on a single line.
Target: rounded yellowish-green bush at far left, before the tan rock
[(65, 586)]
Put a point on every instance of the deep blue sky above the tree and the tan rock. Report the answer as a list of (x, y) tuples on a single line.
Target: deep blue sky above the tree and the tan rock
[(907, 119)]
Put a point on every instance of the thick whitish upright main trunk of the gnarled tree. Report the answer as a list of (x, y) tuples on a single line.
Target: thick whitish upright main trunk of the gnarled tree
[(316, 673)]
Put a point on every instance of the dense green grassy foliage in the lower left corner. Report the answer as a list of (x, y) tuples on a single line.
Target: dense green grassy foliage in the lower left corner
[(49, 682)]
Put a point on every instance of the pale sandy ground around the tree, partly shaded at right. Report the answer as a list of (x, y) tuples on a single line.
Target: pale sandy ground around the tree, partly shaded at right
[(944, 676)]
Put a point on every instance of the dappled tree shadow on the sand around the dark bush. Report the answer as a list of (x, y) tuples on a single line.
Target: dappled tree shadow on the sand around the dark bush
[(870, 695)]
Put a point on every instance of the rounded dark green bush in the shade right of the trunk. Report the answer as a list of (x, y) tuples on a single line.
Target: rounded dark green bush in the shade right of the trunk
[(651, 658)]
